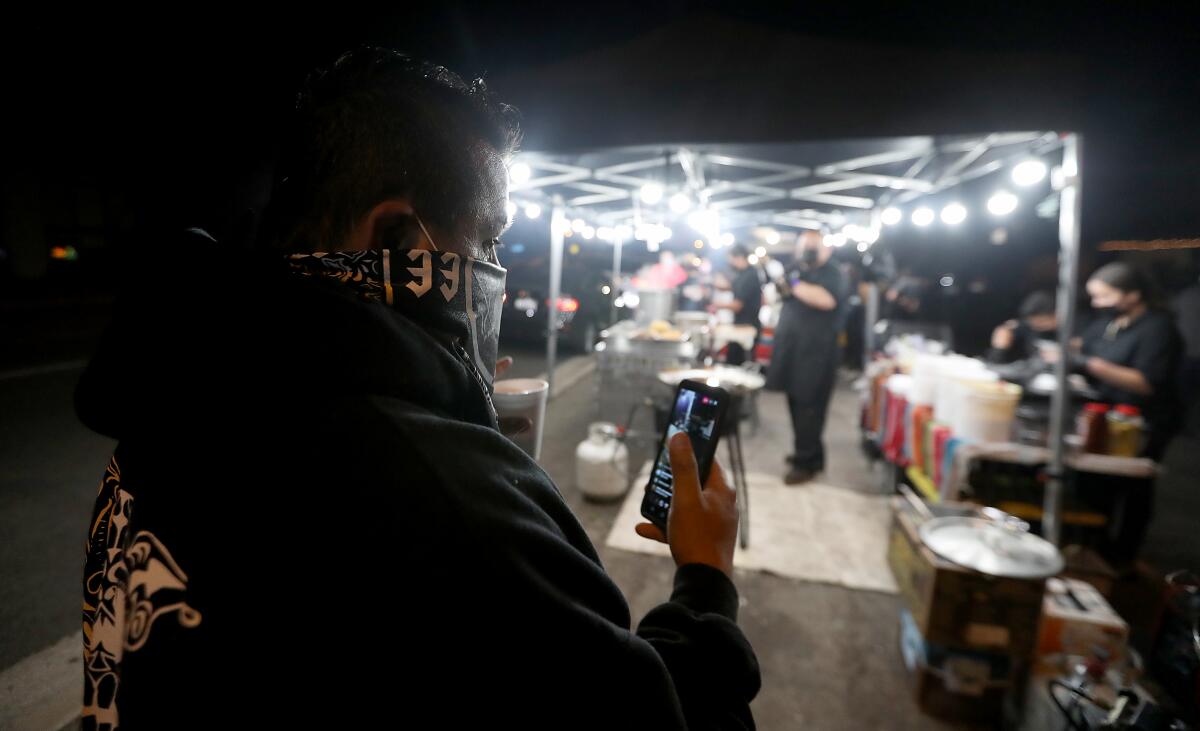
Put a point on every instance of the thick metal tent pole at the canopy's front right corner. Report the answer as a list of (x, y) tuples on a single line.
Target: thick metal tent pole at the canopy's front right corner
[(1070, 200)]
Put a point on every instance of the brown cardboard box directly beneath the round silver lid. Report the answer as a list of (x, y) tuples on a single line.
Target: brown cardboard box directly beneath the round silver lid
[(959, 608)]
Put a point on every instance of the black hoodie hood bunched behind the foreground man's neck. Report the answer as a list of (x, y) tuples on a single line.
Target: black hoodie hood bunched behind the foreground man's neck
[(200, 327)]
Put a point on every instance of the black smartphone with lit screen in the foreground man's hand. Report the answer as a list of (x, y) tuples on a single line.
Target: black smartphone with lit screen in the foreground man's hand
[(698, 410)]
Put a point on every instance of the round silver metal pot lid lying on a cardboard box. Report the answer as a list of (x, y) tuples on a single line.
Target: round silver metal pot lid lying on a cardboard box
[(992, 548)]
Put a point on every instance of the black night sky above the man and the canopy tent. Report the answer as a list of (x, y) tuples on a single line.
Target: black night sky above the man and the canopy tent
[(172, 110)]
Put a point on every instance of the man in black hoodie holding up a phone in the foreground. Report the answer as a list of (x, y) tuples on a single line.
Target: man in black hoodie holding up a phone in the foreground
[(311, 518)]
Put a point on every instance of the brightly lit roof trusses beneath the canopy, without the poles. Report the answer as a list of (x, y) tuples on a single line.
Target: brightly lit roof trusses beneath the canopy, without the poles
[(718, 189)]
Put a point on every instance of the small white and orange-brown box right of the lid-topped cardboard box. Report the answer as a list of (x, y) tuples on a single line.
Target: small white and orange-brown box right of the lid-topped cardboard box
[(1078, 621)]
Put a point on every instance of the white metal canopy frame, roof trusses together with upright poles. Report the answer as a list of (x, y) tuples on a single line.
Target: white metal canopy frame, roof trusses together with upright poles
[(748, 191)]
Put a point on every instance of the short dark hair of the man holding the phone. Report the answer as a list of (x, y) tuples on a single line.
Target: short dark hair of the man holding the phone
[(379, 124)]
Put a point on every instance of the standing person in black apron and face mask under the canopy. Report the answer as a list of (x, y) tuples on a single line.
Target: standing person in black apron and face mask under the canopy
[(805, 361)]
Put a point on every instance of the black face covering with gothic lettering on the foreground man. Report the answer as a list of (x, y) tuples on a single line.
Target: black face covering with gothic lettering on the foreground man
[(455, 297)]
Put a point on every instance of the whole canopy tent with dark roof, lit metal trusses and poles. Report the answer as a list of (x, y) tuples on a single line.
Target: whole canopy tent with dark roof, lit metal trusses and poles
[(668, 106)]
